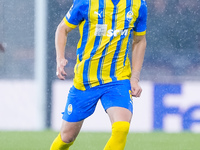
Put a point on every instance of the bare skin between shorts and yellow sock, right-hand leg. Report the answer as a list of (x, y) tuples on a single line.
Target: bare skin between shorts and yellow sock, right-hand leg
[(119, 114)]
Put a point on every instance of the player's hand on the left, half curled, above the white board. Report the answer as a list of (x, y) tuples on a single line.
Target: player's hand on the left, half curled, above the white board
[(61, 63)]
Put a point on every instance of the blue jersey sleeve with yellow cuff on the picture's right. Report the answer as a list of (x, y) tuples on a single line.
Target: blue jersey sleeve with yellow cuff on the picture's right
[(140, 24)]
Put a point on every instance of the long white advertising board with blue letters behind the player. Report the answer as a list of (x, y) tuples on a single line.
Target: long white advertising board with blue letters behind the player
[(164, 107)]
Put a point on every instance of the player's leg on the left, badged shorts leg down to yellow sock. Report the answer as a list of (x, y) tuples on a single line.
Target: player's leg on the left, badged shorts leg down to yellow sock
[(80, 105)]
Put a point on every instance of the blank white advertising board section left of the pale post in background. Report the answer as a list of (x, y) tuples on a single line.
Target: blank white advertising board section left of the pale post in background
[(19, 107)]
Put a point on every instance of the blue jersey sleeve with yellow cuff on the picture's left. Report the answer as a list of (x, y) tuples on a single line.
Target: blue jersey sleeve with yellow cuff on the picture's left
[(74, 16)]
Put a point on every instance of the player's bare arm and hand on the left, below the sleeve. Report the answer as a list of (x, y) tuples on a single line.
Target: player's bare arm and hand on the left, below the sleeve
[(60, 43)]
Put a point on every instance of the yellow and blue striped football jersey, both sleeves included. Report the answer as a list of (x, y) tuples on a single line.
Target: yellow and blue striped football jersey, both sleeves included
[(105, 28)]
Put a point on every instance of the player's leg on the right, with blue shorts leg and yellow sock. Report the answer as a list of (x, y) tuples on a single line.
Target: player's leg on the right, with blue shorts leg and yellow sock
[(118, 104)]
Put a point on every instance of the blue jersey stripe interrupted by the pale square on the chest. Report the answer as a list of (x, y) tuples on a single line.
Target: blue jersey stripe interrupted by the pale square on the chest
[(97, 42)]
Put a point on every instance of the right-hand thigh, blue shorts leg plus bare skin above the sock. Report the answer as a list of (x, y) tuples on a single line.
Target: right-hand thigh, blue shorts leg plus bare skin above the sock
[(117, 101)]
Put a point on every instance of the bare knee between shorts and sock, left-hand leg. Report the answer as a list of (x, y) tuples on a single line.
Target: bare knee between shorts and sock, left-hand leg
[(70, 130)]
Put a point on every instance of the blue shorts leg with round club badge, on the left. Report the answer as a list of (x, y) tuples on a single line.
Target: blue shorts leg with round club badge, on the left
[(80, 104)]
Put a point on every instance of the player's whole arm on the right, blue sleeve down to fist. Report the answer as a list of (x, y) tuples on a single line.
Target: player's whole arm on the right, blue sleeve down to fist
[(138, 49)]
